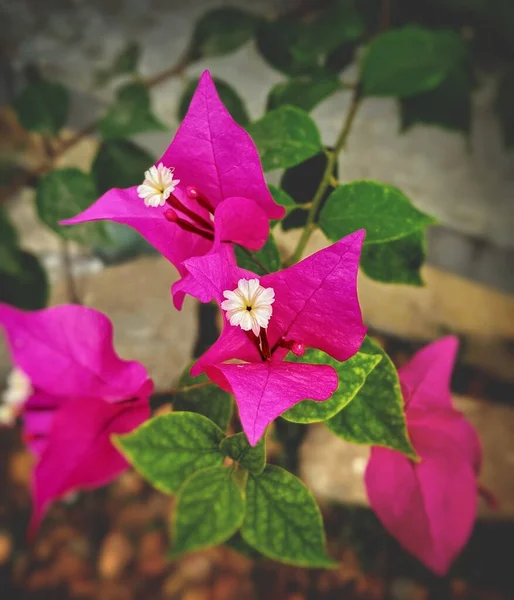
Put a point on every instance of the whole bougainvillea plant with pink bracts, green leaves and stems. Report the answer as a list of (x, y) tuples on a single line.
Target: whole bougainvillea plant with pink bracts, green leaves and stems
[(293, 346)]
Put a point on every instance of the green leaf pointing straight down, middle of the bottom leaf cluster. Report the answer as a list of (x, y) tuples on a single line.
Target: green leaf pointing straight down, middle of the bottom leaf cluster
[(209, 510)]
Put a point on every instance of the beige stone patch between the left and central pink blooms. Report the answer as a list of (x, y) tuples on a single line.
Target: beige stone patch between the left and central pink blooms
[(136, 297)]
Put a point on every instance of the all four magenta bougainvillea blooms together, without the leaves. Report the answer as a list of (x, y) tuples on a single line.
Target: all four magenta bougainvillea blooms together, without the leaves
[(82, 392)]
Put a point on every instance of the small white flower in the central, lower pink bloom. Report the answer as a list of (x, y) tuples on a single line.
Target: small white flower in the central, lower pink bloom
[(249, 305)]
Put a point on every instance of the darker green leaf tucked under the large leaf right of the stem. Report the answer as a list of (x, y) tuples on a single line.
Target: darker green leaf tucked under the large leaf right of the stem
[(399, 261)]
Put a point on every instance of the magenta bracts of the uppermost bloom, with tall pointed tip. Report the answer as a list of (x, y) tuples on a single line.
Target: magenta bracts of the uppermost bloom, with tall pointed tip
[(214, 155)]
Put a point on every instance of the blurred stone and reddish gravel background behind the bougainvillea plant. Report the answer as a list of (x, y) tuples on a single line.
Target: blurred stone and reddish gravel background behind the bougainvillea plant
[(454, 159)]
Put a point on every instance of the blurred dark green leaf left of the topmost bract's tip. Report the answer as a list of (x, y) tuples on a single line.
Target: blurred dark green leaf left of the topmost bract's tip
[(130, 114)]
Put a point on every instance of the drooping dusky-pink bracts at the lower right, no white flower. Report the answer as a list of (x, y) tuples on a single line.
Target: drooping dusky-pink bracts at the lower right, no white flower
[(430, 506)]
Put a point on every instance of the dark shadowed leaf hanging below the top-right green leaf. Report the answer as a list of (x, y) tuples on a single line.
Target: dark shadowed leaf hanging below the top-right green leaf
[(448, 105)]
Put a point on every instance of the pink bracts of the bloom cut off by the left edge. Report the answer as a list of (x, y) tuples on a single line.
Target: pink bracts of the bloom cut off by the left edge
[(83, 393)]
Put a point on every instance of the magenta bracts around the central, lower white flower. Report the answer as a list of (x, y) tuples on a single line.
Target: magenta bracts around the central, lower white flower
[(316, 305)]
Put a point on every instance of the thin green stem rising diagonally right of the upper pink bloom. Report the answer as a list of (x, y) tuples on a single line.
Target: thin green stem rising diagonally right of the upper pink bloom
[(328, 175)]
